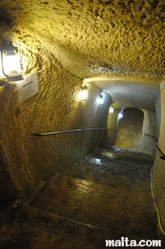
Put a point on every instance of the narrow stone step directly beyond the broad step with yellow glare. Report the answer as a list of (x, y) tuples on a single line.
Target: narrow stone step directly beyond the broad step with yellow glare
[(105, 176)]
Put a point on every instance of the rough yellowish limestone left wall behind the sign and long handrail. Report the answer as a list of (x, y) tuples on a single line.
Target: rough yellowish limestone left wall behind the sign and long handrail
[(24, 159)]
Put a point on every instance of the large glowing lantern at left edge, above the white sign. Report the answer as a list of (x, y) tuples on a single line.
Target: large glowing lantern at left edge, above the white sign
[(11, 65)]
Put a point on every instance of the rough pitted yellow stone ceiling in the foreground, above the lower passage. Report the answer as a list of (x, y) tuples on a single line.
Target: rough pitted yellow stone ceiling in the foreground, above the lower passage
[(119, 39)]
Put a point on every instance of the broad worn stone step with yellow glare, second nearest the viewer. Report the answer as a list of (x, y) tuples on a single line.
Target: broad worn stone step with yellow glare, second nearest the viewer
[(124, 212)]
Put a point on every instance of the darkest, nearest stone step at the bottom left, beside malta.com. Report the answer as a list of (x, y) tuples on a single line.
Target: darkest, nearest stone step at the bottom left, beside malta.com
[(24, 227)]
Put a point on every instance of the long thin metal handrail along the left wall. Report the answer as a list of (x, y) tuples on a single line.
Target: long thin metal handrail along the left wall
[(69, 131)]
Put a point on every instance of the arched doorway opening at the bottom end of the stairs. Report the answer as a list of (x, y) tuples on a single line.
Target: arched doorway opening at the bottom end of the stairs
[(130, 129)]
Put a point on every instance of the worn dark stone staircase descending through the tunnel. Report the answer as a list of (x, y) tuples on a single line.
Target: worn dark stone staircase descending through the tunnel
[(106, 196)]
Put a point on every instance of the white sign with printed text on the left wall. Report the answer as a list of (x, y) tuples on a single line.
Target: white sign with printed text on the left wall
[(27, 87)]
